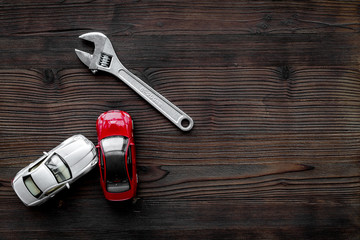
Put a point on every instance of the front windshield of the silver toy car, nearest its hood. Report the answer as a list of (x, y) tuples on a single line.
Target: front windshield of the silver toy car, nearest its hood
[(58, 167)]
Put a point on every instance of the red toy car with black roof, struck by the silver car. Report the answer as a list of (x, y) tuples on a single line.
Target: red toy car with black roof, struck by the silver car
[(116, 149)]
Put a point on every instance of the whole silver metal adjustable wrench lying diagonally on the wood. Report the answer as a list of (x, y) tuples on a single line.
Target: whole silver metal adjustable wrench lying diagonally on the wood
[(104, 58)]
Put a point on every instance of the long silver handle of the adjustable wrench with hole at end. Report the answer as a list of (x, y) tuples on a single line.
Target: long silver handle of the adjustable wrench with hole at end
[(168, 109)]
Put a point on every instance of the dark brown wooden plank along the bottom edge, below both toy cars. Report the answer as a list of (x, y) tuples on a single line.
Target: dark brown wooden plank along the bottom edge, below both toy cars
[(148, 219)]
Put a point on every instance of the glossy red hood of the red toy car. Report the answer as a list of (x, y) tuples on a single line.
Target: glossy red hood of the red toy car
[(113, 123)]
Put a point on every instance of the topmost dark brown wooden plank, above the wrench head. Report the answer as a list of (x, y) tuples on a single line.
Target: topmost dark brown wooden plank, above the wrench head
[(175, 17)]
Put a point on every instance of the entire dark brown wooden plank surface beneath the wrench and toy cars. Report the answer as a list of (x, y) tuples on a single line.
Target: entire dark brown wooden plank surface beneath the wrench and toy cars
[(273, 88)]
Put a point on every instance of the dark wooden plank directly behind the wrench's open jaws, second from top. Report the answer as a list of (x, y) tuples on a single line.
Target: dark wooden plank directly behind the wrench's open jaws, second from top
[(178, 51)]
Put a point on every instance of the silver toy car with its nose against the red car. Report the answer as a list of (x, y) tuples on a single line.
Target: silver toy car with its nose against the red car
[(55, 170)]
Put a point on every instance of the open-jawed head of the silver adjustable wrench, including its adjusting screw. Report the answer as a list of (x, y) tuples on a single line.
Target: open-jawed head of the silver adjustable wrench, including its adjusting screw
[(103, 54)]
